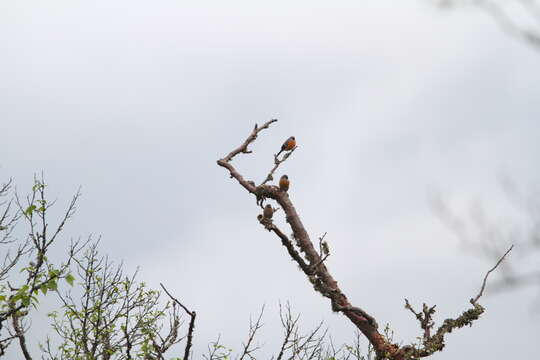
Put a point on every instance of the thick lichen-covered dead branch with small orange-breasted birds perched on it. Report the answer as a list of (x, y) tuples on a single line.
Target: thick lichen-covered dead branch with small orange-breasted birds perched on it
[(311, 262)]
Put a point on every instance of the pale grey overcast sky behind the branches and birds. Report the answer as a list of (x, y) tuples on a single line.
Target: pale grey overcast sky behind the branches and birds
[(390, 102)]
